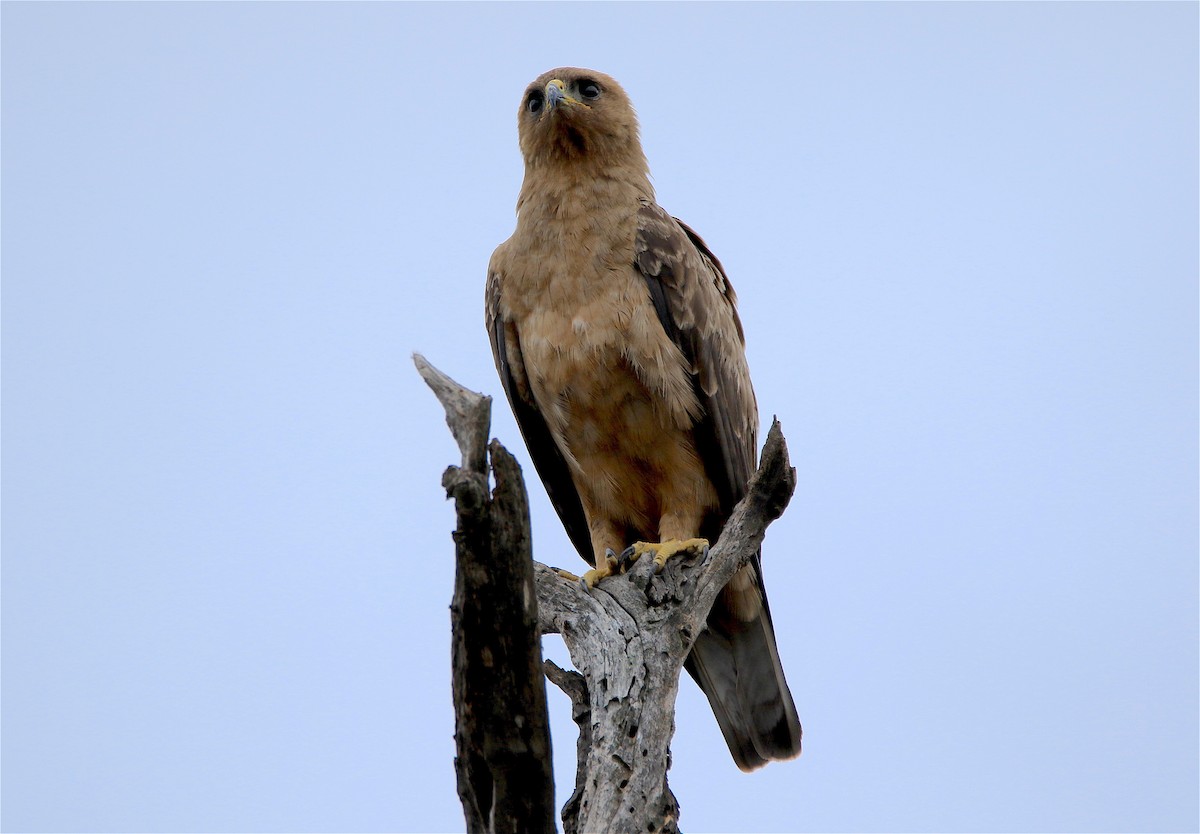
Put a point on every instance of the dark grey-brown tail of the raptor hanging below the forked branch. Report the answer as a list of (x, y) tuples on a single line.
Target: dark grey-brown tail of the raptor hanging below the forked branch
[(736, 664)]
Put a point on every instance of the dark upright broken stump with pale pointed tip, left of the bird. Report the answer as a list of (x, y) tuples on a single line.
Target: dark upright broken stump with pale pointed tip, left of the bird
[(502, 735)]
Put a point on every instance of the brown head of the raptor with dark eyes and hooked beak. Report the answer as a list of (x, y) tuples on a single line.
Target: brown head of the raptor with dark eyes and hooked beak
[(571, 116)]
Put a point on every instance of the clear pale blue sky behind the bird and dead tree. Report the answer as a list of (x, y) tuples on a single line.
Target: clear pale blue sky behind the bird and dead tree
[(965, 243)]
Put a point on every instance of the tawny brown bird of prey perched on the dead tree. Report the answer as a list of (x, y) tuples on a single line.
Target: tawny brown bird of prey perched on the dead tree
[(619, 344)]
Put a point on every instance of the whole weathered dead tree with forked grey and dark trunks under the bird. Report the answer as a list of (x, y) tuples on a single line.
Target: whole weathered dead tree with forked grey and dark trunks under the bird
[(628, 638)]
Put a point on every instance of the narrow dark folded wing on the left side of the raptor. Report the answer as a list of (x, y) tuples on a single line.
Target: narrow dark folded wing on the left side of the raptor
[(548, 460)]
